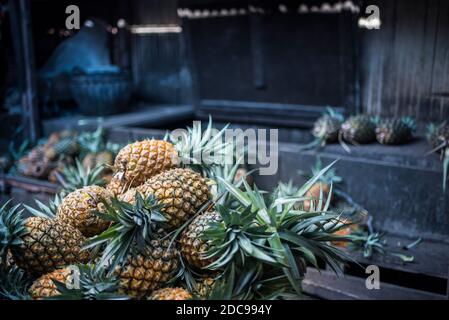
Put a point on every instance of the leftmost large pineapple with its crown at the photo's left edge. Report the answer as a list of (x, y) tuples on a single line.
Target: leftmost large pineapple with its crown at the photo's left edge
[(39, 244)]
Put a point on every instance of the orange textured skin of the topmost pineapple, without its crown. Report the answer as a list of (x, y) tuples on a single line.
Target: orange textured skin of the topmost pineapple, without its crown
[(138, 161)]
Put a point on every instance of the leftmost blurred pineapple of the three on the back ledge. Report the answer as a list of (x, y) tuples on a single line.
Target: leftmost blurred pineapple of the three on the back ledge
[(326, 128)]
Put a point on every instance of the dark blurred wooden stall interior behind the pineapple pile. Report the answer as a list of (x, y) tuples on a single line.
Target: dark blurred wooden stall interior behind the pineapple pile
[(140, 67)]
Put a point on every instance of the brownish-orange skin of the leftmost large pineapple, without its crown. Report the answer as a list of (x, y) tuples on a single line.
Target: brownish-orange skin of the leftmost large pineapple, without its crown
[(47, 245)]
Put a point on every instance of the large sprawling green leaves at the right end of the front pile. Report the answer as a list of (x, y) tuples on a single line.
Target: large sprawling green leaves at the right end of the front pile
[(288, 236)]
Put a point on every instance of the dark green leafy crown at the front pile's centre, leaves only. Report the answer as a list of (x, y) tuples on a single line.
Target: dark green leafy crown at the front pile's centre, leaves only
[(133, 225)]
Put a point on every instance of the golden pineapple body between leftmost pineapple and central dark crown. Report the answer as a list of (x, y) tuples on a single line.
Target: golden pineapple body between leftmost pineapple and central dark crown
[(78, 210)]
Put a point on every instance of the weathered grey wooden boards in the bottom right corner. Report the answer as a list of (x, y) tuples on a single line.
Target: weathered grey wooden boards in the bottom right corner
[(430, 265)]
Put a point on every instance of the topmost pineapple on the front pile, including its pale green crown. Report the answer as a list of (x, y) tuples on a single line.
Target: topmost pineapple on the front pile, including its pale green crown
[(141, 160)]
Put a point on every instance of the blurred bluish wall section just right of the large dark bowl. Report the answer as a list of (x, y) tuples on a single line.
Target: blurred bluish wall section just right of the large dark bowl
[(158, 60)]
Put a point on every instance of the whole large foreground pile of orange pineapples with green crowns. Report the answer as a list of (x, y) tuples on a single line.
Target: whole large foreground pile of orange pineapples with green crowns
[(169, 227)]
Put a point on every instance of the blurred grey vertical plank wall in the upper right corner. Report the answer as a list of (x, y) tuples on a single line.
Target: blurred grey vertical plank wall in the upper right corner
[(405, 64)]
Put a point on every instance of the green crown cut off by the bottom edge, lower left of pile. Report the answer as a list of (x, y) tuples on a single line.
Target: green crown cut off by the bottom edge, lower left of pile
[(90, 283)]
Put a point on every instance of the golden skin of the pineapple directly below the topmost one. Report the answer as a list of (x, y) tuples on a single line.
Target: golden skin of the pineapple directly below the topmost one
[(182, 193)]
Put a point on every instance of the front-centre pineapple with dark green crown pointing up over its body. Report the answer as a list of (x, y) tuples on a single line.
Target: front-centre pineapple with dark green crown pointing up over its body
[(139, 251)]
